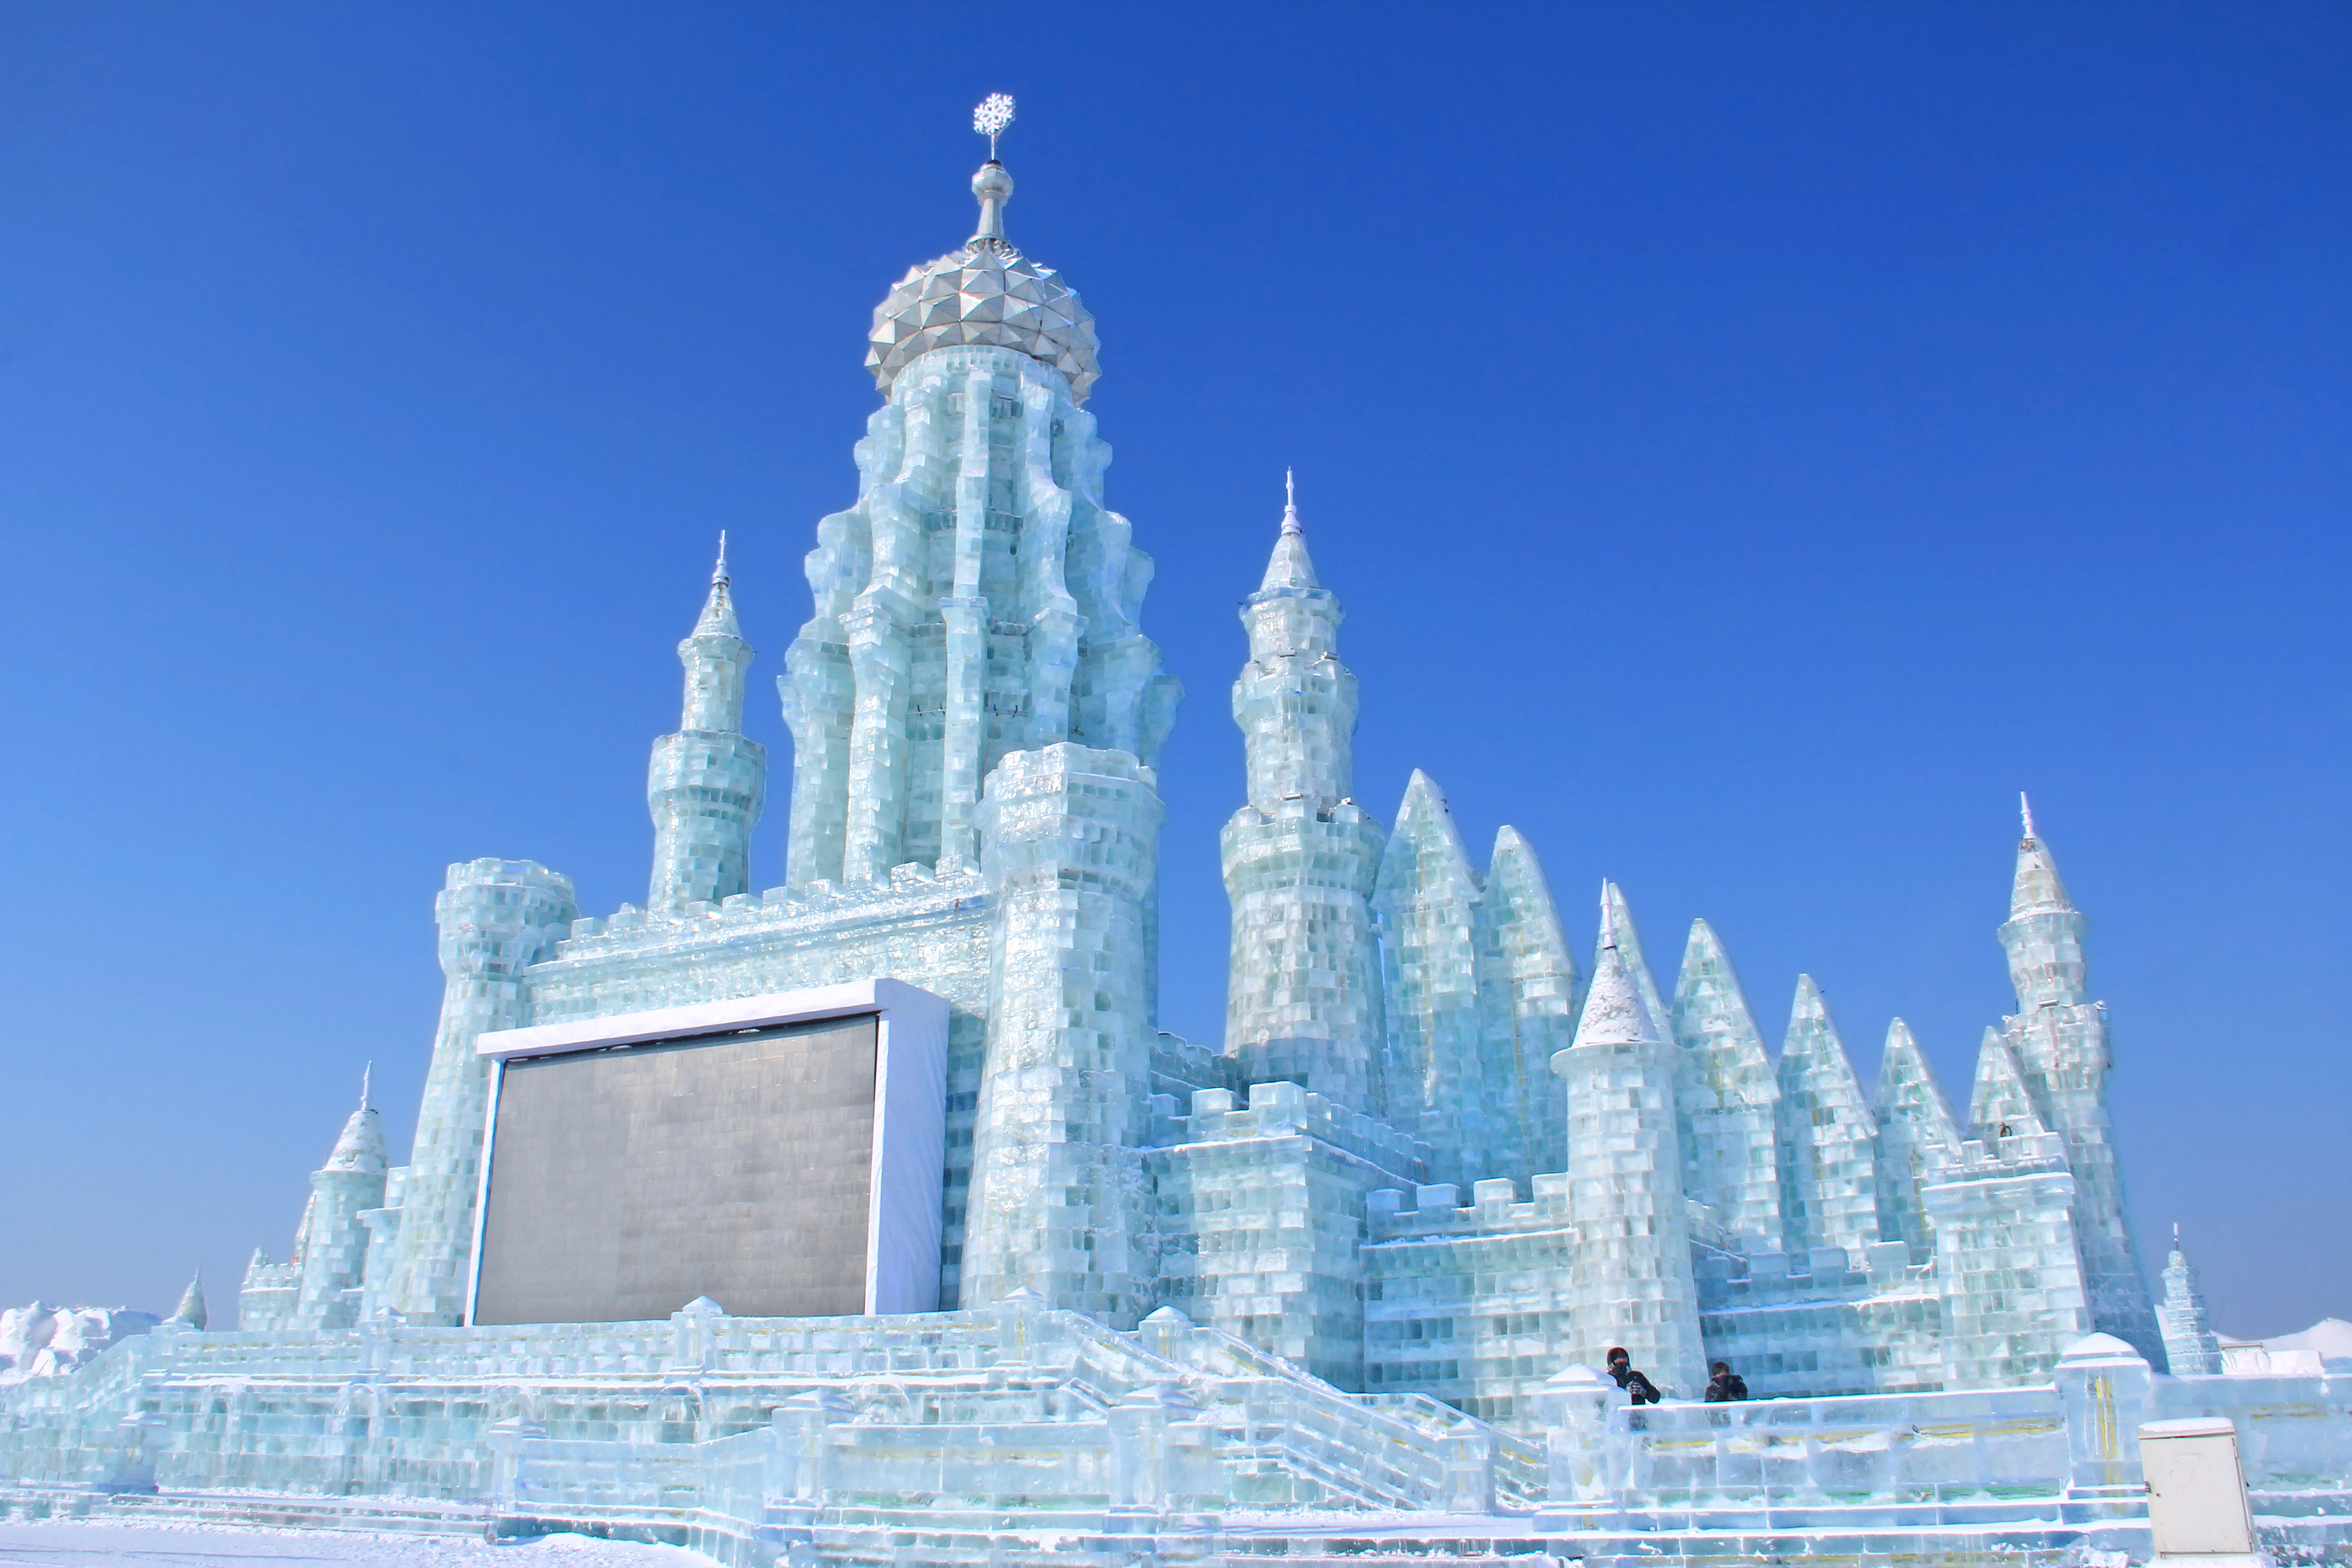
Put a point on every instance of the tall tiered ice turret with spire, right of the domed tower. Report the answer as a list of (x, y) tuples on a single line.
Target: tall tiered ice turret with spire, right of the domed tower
[(1304, 993)]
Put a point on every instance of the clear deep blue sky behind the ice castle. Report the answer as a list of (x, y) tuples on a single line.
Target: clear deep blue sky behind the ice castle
[(1753, 443)]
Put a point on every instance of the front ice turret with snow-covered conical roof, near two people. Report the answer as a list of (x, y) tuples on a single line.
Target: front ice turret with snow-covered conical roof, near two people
[(1631, 1278)]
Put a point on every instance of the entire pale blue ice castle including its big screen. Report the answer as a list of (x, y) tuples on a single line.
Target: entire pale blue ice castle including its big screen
[(949, 1254)]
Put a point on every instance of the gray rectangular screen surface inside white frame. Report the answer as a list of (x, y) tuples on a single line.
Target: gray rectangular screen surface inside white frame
[(624, 1184)]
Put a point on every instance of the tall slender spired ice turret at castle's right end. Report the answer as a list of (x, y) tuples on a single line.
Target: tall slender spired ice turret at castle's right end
[(2062, 1043)]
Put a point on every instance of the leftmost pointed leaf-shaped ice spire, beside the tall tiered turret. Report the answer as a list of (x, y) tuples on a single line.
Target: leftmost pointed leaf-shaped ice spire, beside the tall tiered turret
[(1429, 902)]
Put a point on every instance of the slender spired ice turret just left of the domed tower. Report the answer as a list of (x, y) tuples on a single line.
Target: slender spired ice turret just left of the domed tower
[(709, 782)]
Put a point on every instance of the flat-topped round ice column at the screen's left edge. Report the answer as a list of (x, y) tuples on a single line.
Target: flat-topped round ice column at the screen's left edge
[(497, 918)]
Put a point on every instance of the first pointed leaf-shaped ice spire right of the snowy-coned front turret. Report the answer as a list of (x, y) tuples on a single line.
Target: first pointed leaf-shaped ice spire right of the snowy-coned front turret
[(1725, 1094)]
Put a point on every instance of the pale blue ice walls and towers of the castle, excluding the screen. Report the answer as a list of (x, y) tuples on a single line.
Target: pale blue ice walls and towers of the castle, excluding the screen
[(1361, 1254)]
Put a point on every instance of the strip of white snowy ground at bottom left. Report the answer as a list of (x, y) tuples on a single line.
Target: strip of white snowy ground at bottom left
[(72, 1546)]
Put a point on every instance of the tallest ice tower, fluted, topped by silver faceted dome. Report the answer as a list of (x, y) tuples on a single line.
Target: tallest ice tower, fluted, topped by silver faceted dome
[(980, 598)]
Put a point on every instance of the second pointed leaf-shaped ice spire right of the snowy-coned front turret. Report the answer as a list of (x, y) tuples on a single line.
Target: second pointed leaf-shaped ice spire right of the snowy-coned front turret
[(1829, 1172)]
